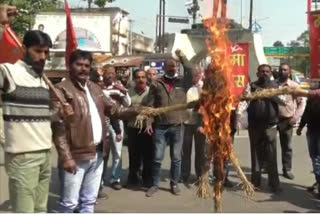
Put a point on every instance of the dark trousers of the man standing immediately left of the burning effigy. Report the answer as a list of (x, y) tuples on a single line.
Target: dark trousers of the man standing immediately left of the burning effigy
[(190, 133)]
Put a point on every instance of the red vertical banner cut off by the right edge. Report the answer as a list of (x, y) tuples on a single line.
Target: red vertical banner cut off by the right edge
[(314, 26)]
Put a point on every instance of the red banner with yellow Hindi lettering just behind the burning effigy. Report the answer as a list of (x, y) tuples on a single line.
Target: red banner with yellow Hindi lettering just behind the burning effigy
[(240, 63)]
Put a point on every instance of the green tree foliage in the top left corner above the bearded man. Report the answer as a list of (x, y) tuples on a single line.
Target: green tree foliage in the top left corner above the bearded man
[(28, 10)]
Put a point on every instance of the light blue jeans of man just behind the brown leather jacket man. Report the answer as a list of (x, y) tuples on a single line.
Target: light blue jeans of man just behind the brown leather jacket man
[(116, 148)]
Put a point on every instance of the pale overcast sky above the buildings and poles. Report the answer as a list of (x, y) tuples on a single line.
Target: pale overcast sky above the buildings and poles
[(282, 20)]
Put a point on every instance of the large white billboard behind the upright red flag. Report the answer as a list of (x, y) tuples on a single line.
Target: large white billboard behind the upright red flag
[(93, 31)]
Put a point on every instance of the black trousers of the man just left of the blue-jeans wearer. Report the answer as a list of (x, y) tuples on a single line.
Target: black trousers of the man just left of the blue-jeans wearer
[(140, 153)]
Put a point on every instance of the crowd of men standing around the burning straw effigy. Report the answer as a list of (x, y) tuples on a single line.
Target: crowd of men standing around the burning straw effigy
[(93, 110)]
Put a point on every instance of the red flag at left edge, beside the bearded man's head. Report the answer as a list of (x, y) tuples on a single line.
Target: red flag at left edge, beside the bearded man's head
[(10, 47)]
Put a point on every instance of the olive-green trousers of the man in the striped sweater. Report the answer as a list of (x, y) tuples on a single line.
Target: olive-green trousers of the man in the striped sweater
[(29, 177)]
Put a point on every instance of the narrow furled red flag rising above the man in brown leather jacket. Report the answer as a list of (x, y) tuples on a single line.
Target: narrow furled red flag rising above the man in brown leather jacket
[(71, 39)]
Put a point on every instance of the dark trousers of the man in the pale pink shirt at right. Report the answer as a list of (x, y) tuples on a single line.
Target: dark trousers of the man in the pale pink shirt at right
[(285, 133)]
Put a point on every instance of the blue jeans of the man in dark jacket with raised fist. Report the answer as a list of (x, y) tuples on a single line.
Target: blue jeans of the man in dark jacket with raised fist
[(173, 136)]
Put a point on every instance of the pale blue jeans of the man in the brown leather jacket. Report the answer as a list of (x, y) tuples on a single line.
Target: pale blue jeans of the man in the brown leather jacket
[(81, 190)]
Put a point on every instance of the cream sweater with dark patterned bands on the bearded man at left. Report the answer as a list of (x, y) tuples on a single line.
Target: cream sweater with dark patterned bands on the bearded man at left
[(26, 110)]
